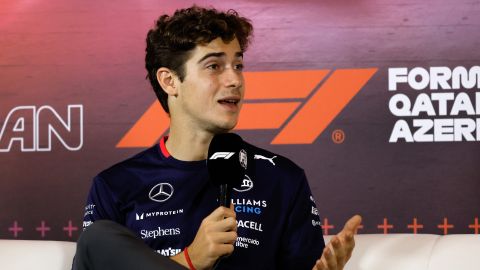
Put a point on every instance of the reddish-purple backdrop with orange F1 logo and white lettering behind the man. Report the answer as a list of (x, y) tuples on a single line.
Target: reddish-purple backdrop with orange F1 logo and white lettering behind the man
[(377, 100)]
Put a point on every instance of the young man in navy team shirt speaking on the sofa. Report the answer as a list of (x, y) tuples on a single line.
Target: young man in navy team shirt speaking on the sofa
[(163, 195)]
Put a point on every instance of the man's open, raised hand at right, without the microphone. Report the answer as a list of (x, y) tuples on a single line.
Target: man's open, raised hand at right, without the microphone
[(339, 250)]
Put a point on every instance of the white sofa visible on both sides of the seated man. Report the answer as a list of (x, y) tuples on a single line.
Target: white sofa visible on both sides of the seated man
[(372, 252)]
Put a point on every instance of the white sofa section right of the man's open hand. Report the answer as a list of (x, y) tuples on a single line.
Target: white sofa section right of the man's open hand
[(415, 252)]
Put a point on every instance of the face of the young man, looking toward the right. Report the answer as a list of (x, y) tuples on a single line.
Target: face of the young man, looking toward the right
[(210, 96)]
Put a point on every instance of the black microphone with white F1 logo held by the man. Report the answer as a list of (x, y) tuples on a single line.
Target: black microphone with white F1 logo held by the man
[(227, 162)]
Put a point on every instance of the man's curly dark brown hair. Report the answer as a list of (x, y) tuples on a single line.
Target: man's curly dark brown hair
[(173, 37)]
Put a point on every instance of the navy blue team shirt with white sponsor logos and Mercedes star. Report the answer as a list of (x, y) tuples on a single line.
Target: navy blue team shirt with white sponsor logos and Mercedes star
[(163, 200)]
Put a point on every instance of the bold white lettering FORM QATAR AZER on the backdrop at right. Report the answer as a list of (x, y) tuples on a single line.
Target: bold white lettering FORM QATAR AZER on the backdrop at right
[(437, 104)]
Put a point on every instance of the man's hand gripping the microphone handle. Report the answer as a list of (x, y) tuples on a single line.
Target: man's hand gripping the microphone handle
[(215, 238)]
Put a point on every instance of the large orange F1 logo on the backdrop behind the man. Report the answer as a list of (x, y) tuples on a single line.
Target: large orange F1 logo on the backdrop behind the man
[(300, 104)]
